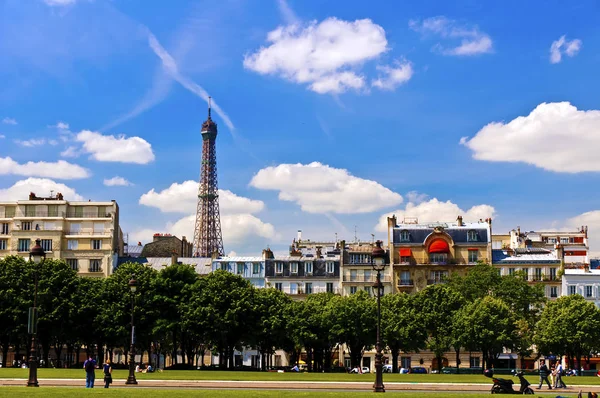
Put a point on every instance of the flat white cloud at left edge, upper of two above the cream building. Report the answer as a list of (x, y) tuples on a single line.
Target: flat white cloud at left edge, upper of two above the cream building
[(60, 169)]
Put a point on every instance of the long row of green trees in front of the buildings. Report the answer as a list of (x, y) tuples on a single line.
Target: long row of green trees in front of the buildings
[(178, 311)]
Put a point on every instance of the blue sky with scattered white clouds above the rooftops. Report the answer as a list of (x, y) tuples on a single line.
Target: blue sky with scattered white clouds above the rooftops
[(330, 117)]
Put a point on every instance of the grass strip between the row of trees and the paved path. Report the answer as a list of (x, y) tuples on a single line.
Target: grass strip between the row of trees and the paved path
[(17, 373)]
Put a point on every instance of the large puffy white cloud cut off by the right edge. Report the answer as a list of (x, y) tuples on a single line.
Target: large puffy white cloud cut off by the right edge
[(555, 136)]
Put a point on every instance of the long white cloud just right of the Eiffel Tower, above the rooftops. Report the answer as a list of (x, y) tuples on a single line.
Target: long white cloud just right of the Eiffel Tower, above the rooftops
[(318, 188)]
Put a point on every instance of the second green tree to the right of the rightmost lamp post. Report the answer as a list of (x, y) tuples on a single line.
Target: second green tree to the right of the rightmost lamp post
[(437, 305)]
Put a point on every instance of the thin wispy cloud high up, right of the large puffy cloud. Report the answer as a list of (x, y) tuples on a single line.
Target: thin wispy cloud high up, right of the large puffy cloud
[(472, 40)]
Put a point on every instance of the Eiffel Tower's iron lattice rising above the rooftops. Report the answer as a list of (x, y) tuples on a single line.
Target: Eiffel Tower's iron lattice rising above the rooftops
[(208, 240)]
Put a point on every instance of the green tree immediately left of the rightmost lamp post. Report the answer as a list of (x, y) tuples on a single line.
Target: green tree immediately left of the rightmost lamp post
[(354, 322)]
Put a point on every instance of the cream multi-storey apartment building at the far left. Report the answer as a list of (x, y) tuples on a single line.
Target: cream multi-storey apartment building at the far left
[(85, 234)]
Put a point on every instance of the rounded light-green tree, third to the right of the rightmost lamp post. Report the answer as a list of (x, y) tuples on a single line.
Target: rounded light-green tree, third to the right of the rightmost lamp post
[(485, 325)]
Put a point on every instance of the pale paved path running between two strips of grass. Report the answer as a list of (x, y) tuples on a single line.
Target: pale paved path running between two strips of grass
[(289, 385)]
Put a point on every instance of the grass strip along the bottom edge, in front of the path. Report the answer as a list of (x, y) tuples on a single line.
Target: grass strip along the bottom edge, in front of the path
[(127, 393)]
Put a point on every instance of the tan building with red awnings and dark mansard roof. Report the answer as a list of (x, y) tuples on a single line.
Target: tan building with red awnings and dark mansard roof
[(426, 254)]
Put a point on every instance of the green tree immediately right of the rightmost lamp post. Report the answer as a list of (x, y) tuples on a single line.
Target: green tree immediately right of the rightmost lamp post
[(401, 325)]
